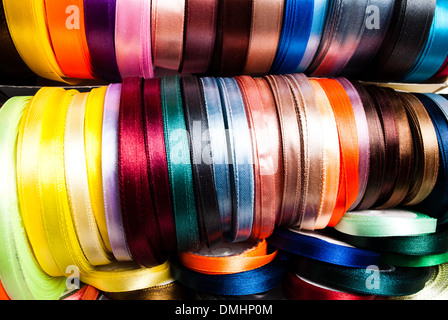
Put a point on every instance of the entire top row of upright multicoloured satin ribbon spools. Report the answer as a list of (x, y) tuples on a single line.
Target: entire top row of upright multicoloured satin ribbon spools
[(65, 40)]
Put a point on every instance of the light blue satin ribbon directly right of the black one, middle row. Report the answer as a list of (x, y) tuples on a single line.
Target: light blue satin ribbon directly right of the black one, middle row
[(218, 150)]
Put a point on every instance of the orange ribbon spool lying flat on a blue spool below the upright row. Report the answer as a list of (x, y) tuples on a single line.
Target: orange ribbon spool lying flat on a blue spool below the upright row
[(250, 259)]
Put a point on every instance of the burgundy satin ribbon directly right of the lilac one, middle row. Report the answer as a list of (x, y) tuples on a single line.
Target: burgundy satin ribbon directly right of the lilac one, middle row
[(139, 218)]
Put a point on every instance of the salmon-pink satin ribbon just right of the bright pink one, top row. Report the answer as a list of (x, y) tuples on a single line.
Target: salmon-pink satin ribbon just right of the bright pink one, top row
[(167, 25)]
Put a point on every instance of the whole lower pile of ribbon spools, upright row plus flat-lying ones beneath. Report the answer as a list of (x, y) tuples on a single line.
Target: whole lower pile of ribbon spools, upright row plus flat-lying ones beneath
[(226, 187)]
